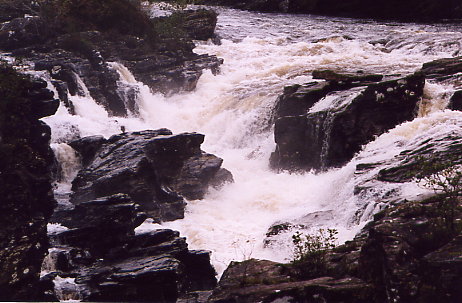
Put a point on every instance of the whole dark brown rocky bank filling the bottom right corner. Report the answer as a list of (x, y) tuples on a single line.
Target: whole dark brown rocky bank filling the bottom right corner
[(406, 254)]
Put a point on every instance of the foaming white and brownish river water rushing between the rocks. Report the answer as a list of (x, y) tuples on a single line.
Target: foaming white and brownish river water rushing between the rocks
[(263, 53)]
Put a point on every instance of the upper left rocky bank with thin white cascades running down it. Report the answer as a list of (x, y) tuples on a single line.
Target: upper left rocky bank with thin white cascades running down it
[(77, 47)]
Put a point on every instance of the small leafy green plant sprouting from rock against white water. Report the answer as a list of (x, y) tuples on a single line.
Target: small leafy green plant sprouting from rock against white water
[(310, 251)]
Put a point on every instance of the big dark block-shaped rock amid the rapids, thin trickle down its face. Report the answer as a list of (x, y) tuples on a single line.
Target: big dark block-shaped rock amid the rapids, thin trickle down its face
[(310, 137)]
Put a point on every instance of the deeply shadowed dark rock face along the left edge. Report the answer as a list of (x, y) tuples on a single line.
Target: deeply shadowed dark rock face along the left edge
[(25, 183)]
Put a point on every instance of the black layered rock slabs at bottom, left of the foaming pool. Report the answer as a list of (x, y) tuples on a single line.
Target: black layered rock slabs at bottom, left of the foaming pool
[(109, 262)]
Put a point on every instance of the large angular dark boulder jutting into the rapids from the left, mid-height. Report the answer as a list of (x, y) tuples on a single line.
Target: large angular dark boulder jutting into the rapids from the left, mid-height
[(155, 168)]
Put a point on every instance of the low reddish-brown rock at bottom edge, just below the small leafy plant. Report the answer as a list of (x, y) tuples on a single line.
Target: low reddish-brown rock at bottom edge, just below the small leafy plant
[(265, 281)]
